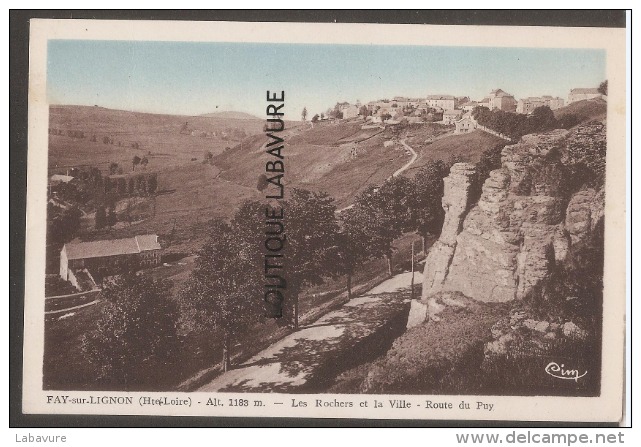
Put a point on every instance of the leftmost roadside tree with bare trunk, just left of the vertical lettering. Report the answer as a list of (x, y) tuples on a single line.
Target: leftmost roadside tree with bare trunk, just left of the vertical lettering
[(225, 289)]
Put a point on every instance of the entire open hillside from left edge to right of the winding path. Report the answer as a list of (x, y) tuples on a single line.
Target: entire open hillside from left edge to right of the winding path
[(341, 159)]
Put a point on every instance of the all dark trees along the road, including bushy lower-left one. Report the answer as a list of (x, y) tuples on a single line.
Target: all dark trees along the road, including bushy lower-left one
[(226, 289)]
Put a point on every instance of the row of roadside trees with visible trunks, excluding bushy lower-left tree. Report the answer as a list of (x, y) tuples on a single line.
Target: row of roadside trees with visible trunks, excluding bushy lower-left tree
[(226, 290)]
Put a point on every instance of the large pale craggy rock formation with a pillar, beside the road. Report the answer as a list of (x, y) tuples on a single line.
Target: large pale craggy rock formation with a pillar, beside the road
[(505, 246)]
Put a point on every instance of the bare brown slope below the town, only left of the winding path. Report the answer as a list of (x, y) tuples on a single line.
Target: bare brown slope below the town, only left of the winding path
[(340, 159)]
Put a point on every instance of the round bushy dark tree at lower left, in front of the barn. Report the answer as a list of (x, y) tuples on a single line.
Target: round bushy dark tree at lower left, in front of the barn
[(136, 333)]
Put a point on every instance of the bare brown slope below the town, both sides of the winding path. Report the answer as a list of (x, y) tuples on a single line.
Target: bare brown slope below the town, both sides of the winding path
[(343, 159)]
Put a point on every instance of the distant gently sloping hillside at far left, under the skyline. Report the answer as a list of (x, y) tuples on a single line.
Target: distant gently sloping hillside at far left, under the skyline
[(159, 137)]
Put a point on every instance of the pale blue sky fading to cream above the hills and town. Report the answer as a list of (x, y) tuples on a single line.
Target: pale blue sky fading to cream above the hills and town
[(192, 78)]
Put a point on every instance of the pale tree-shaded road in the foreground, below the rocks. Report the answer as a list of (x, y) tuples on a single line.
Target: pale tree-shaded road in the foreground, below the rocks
[(307, 359)]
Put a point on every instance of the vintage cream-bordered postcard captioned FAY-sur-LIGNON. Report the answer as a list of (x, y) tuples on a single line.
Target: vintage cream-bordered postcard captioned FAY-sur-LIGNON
[(325, 221)]
